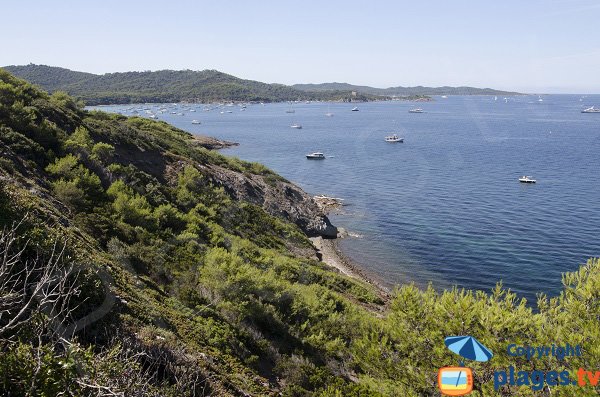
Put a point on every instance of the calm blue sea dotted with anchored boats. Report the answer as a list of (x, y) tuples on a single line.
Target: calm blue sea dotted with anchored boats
[(444, 206)]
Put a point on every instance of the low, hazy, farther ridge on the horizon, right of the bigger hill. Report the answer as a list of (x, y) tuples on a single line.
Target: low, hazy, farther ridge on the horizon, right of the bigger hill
[(401, 91)]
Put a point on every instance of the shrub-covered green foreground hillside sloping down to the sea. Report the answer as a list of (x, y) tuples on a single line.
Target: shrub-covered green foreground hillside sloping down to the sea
[(134, 261)]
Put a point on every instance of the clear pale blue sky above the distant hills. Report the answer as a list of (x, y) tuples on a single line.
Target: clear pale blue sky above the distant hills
[(527, 45)]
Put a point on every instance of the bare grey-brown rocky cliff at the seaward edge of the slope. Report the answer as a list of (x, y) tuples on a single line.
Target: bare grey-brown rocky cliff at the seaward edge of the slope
[(276, 196)]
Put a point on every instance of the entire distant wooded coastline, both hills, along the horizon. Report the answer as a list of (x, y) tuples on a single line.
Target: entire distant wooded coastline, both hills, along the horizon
[(212, 86)]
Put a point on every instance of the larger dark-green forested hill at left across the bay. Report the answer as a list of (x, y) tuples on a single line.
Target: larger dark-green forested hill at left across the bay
[(167, 86)]
